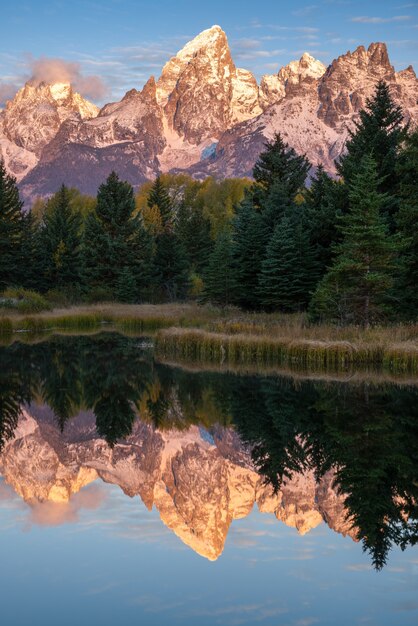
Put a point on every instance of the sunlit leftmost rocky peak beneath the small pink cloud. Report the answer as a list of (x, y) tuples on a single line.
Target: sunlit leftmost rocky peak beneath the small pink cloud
[(32, 119)]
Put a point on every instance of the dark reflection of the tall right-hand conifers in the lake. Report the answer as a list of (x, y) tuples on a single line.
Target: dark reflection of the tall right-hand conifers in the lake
[(369, 435)]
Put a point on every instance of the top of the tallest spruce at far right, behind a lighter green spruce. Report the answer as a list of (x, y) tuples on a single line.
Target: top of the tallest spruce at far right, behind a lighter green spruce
[(378, 133)]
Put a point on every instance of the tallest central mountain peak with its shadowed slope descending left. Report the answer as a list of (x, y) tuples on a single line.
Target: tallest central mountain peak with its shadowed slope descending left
[(171, 122)]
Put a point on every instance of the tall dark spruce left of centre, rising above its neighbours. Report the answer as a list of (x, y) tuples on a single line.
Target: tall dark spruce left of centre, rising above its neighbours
[(115, 239)]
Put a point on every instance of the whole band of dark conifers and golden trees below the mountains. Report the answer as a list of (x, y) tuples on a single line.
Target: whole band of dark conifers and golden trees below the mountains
[(345, 250)]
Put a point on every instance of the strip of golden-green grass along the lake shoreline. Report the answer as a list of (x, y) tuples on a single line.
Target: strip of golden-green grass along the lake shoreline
[(203, 334)]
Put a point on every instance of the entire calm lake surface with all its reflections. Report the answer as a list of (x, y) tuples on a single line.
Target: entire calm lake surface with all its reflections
[(133, 492)]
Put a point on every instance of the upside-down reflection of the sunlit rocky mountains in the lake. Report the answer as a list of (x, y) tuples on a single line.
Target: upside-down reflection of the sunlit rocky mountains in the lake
[(199, 481)]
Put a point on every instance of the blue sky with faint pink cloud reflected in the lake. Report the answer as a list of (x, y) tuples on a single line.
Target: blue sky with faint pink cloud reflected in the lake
[(104, 560)]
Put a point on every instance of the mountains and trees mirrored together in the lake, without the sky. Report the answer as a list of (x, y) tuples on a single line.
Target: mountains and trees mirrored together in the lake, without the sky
[(208, 446)]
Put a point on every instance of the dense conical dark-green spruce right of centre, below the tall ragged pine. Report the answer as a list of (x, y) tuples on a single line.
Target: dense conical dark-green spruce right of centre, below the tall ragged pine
[(289, 271)]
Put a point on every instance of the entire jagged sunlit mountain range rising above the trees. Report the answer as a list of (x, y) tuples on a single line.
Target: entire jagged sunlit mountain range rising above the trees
[(203, 116)]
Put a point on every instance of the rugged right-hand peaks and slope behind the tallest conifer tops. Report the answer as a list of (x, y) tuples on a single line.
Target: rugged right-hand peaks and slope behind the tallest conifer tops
[(316, 113)]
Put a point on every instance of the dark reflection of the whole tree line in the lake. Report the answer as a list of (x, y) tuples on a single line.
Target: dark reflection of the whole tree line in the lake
[(367, 434)]
